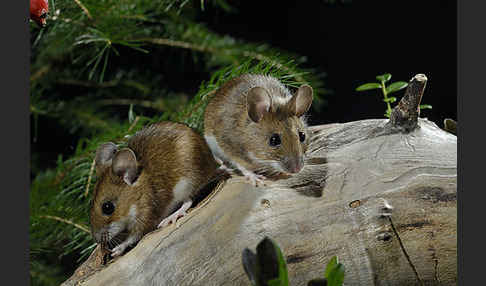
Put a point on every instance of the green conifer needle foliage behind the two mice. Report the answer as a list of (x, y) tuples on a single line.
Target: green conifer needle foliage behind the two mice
[(103, 69)]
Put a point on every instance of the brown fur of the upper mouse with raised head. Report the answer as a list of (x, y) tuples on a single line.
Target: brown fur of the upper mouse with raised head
[(240, 138)]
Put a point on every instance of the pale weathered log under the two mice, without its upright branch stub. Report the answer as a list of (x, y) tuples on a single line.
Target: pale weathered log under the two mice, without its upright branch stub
[(360, 178)]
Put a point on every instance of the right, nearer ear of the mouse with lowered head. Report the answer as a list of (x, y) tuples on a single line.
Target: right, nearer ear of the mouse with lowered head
[(125, 166)]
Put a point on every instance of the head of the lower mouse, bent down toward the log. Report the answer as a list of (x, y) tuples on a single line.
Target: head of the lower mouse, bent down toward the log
[(122, 201)]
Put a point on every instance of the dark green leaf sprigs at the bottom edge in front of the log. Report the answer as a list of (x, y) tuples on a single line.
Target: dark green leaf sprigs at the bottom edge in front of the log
[(268, 267)]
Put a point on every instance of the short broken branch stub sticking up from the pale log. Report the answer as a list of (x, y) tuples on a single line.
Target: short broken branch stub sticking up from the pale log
[(404, 116)]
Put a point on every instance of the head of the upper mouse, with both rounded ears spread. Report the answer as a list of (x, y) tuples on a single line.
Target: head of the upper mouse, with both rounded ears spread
[(277, 129)]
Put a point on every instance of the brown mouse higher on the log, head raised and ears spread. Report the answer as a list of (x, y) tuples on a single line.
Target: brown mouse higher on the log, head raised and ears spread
[(256, 127)]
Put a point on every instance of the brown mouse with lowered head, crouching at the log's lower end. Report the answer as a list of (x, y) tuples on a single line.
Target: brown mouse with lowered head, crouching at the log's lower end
[(140, 188)]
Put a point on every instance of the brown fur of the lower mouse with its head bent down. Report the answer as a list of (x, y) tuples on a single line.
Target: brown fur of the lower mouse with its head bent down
[(165, 153)]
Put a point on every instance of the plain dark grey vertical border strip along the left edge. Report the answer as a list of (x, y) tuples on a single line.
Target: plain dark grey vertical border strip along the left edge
[(15, 144)]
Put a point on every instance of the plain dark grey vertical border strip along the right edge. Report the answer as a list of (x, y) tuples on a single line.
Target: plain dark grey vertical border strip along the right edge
[(470, 102)]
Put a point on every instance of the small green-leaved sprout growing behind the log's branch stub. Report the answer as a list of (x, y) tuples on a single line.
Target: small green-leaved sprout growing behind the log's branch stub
[(387, 90)]
